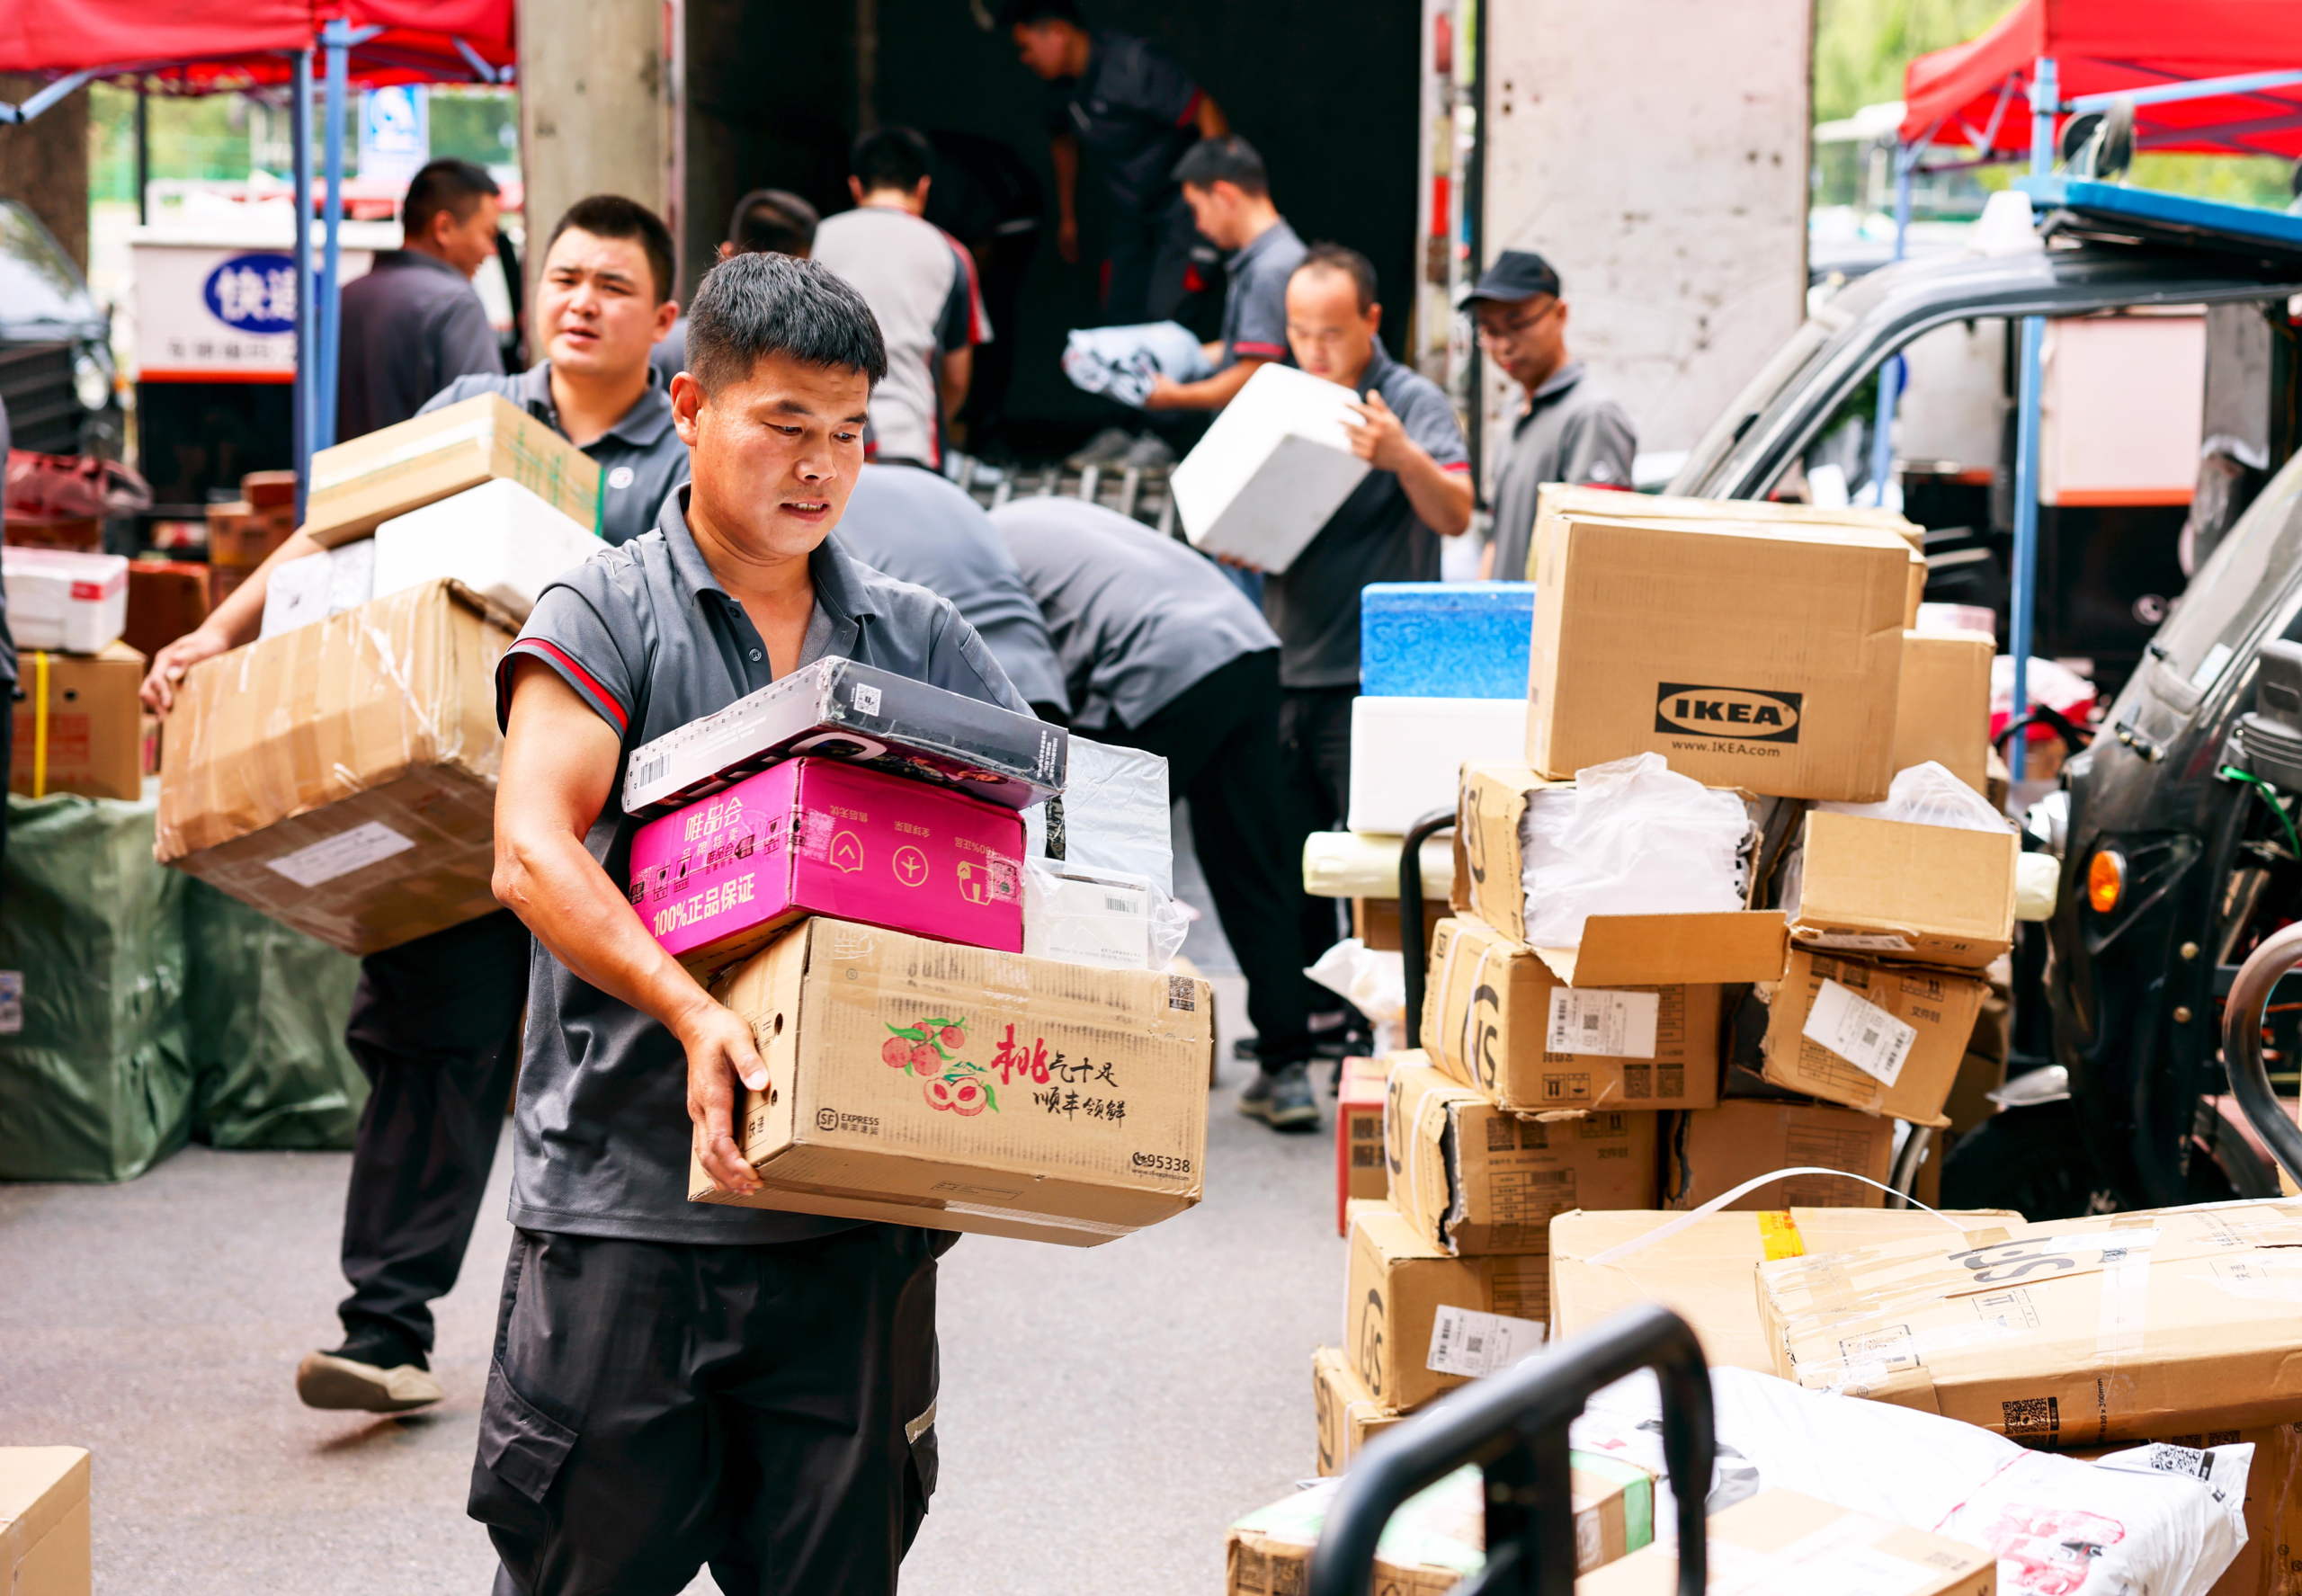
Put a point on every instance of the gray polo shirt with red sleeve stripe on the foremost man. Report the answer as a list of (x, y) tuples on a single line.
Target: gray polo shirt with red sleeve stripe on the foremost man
[(650, 639)]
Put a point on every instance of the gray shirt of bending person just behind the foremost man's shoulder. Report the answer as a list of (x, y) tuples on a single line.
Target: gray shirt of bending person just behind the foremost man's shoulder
[(920, 529)]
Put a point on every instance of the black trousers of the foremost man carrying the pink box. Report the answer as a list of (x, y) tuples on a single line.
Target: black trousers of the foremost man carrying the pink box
[(765, 1411)]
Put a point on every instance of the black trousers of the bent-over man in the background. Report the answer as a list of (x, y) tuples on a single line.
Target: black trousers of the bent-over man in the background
[(1221, 740)]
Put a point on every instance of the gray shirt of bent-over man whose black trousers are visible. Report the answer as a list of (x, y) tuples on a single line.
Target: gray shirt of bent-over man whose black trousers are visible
[(1136, 616)]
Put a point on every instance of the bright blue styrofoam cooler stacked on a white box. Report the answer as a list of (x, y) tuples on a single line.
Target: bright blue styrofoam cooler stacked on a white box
[(1445, 639)]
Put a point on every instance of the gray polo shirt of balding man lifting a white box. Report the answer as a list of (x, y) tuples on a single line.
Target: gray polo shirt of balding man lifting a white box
[(1373, 538)]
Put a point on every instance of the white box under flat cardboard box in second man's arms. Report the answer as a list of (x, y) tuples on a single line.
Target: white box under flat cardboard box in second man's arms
[(501, 540)]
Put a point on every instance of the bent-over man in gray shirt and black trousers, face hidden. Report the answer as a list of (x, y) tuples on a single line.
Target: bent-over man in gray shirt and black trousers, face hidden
[(1161, 653)]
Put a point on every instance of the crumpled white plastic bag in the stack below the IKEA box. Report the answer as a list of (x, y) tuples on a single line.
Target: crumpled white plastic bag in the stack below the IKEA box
[(1631, 837)]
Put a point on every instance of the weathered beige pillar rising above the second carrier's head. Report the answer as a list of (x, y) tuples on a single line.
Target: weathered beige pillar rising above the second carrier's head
[(595, 109)]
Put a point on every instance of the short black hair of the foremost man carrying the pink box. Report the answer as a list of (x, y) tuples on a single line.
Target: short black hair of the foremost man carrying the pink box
[(752, 307)]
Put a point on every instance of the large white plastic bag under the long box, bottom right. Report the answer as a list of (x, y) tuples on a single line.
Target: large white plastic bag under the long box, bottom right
[(2059, 1528)]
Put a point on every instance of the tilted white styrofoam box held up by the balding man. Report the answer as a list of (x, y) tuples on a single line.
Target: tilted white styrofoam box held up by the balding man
[(1272, 469)]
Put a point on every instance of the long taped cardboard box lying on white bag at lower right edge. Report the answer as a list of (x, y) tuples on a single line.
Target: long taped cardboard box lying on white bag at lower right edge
[(2068, 1335)]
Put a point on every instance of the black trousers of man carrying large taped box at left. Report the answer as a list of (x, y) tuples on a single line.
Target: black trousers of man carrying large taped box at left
[(436, 1031)]
